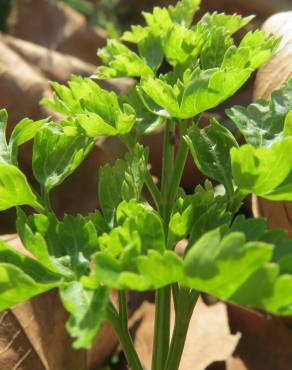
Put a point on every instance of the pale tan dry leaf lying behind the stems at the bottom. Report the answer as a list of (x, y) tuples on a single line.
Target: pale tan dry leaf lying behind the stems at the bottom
[(208, 340)]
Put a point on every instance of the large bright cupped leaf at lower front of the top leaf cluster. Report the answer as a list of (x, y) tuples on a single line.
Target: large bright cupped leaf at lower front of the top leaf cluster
[(199, 91)]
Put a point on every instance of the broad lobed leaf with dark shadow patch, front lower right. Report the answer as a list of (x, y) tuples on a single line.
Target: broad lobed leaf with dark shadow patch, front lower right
[(220, 263)]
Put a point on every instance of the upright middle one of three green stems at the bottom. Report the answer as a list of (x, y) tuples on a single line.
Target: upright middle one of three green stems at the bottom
[(162, 328)]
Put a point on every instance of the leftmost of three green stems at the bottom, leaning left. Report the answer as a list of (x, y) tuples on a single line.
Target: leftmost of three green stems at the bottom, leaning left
[(123, 334)]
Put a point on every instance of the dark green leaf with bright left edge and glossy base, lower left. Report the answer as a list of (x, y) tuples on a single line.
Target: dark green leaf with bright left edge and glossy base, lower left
[(62, 247)]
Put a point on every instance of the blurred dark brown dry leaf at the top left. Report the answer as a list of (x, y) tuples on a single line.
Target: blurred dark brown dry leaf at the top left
[(57, 27)]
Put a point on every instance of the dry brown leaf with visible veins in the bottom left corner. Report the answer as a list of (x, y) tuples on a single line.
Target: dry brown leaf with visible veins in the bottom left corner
[(33, 335)]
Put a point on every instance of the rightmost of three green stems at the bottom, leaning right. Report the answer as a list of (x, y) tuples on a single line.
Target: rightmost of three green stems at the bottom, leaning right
[(186, 302)]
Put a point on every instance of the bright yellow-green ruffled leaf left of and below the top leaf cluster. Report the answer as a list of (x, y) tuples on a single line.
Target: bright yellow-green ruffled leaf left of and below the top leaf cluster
[(92, 108)]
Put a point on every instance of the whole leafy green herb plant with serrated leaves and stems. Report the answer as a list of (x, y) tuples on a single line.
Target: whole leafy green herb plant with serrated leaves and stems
[(130, 242)]
